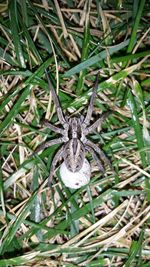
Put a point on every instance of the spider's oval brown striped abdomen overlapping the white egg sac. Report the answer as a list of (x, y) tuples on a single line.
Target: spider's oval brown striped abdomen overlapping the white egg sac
[(74, 154)]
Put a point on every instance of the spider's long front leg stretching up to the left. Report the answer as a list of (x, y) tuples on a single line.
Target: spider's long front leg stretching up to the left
[(56, 101)]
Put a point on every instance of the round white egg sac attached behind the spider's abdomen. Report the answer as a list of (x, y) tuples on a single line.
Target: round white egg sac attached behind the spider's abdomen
[(75, 180)]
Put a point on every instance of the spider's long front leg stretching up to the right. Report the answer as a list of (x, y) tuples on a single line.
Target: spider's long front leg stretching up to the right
[(90, 107)]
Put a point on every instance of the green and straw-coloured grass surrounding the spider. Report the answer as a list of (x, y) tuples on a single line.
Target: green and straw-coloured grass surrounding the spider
[(105, 223)]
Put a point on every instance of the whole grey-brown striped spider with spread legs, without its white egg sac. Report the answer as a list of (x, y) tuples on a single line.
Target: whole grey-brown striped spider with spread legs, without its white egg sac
[(73, 136)]
